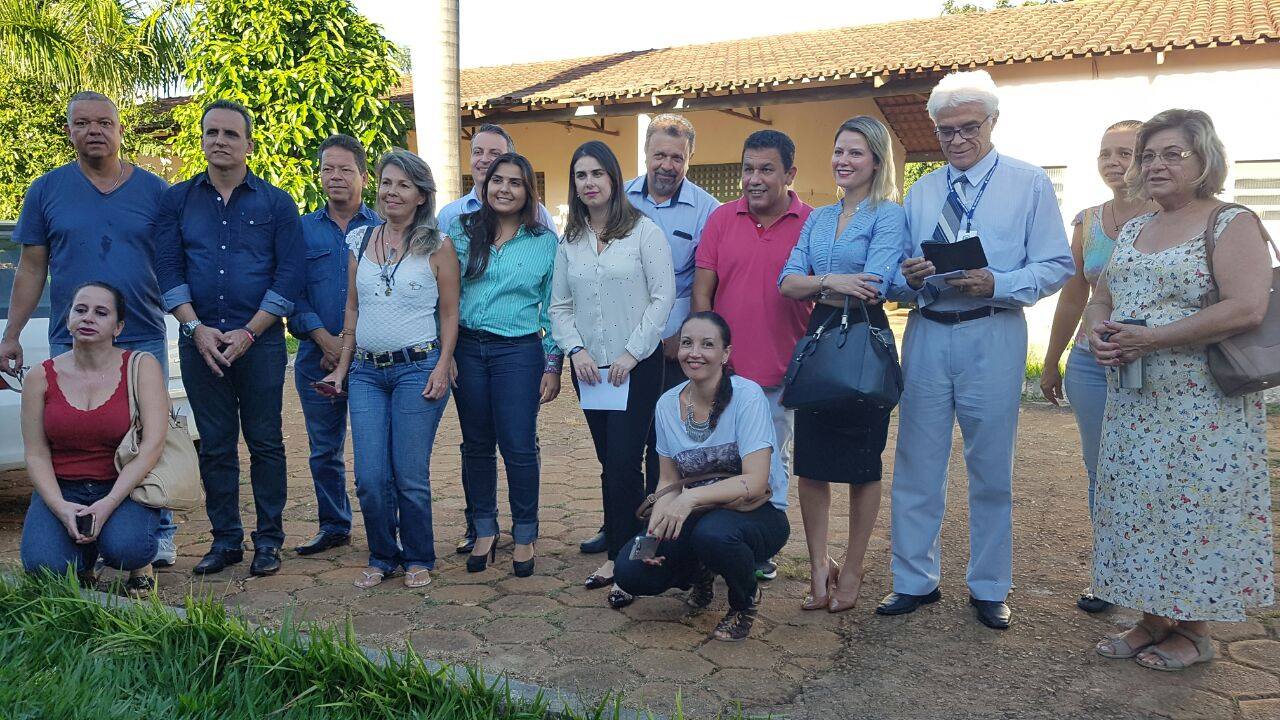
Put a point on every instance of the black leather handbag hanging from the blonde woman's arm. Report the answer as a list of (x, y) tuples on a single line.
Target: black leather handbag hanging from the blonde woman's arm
[(844, 367)]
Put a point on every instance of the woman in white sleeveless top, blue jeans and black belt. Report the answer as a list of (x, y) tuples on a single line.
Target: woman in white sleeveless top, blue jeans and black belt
[(399, 336)]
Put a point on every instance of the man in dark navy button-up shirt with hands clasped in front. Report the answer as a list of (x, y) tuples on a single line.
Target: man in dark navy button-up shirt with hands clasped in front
[(230, 261)]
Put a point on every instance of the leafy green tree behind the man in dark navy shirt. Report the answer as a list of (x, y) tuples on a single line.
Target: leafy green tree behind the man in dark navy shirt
[(307, 70)]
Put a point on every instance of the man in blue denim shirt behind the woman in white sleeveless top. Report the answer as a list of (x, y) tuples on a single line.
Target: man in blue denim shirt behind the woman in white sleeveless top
[(317, 321)]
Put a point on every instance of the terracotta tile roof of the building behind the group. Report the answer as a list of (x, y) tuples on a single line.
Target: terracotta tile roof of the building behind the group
[(1076, 29)]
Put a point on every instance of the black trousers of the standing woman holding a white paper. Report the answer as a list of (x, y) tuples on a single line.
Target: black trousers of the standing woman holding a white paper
[(620, 439)]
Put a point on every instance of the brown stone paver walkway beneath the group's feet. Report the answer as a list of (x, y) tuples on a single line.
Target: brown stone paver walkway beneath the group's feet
[(548, 630)]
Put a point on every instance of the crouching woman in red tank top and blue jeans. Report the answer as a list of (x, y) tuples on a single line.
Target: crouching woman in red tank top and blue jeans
[(75, 416)]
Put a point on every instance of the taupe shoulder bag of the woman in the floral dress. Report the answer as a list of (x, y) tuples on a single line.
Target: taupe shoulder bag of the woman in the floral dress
[(1249, 362)]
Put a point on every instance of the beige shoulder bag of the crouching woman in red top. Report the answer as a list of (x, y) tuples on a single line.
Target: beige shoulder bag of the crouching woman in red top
[(175, 482)]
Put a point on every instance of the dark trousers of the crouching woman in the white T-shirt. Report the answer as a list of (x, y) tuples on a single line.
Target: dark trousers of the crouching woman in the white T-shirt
[(726, 543)]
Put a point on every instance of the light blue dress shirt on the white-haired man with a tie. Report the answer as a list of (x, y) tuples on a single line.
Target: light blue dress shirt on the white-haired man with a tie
[(1021, 227)]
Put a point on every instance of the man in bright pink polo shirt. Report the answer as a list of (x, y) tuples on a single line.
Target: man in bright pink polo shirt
[(744, 247)]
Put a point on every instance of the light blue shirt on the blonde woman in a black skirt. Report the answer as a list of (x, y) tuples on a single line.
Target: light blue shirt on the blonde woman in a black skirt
[(875, 241)]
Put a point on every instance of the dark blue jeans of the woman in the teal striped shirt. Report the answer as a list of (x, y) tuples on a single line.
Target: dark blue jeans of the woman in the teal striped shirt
[(499, 400)]
